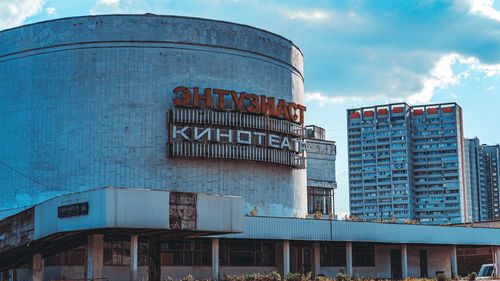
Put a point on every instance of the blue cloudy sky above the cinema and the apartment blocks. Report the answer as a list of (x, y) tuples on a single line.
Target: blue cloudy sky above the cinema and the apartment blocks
[(357, 53)]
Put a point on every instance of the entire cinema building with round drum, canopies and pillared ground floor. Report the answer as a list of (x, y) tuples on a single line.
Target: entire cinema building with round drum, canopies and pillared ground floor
[(136, 147)]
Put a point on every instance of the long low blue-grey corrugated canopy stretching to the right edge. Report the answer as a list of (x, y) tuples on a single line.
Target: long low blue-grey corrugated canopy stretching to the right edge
[(332, 230)]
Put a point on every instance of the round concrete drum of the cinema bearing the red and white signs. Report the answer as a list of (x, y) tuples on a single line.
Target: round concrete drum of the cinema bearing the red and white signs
[(156, 102)]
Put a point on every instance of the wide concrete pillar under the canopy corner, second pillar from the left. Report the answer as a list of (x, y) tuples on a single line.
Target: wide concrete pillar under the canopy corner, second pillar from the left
[(95, 251)]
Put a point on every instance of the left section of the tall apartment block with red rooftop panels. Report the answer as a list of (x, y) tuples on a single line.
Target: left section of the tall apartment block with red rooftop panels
[(379, 178)]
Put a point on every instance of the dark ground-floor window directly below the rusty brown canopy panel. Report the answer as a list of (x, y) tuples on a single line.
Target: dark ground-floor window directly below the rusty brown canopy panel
[(186, 252)]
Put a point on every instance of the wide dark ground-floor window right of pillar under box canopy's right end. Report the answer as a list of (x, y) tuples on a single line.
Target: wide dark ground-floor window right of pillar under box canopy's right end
[(247, 253)]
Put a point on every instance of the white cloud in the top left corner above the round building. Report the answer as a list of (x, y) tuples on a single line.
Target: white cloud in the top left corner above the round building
[(14, 13)]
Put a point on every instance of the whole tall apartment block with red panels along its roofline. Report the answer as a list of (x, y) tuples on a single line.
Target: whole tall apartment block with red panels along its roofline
[(406, 162)]
